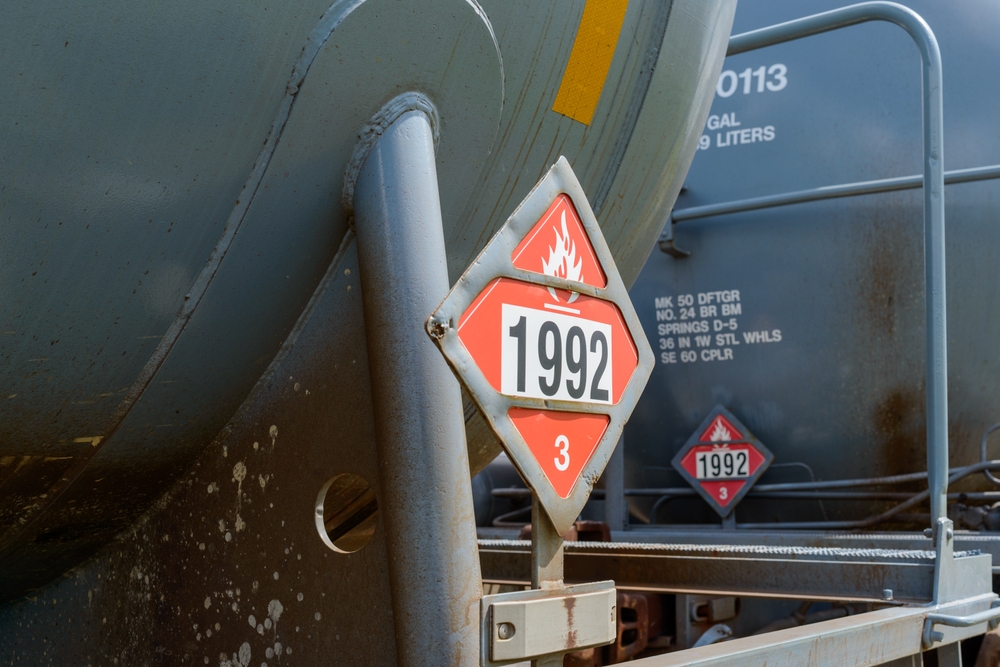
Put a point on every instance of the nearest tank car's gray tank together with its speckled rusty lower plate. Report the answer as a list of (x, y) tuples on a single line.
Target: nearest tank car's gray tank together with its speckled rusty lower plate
[(184, 363)]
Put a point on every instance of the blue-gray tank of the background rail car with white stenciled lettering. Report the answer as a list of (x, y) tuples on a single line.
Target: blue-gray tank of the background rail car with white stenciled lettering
[(840, 395)]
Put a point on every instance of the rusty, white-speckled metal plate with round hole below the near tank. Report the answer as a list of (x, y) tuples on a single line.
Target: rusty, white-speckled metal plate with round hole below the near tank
[(208, 552)]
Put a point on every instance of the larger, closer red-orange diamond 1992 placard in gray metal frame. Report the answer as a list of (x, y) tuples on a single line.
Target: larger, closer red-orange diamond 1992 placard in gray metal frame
[(541, 332)]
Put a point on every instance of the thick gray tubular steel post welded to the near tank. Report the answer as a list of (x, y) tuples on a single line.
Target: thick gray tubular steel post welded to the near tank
[(419, 421)]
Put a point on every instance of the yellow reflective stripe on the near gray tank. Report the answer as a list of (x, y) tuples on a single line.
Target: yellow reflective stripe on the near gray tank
[(590, 59)]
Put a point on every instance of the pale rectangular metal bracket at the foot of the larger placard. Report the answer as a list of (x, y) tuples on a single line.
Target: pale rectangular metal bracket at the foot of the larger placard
[(529, 624)]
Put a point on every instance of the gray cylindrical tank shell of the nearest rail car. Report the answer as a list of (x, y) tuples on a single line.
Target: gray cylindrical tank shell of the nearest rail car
[(171, 198)]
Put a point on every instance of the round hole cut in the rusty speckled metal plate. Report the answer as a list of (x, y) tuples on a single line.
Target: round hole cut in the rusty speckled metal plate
[(346, 513)]
